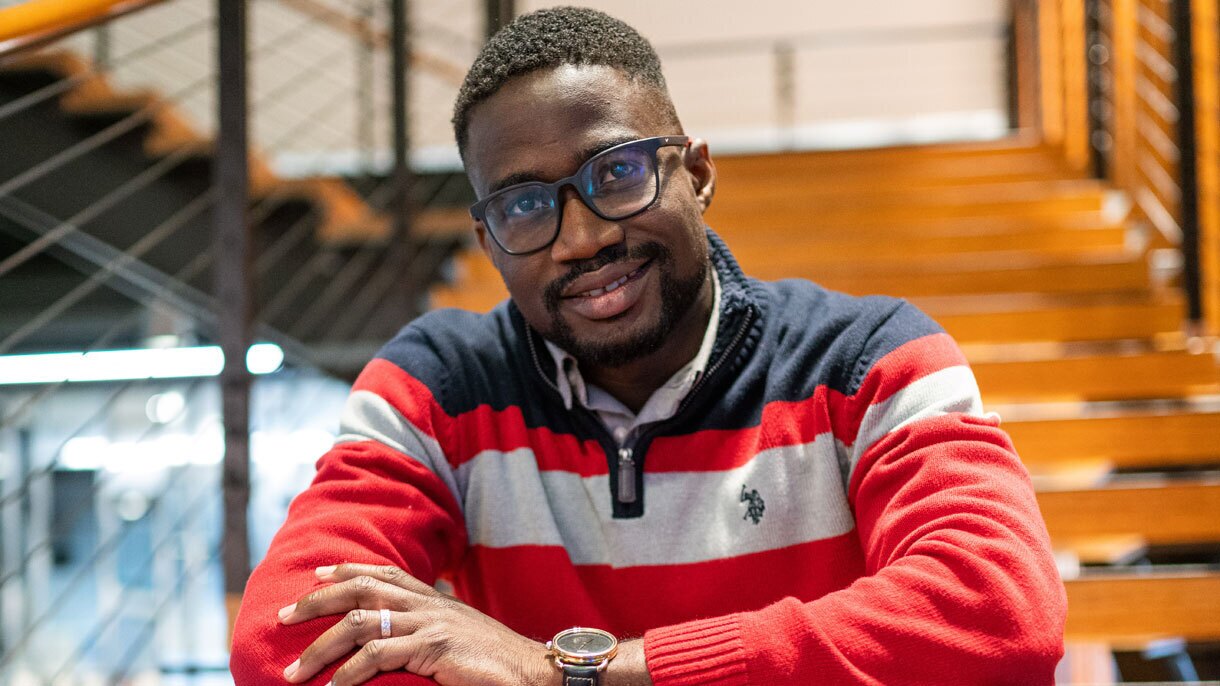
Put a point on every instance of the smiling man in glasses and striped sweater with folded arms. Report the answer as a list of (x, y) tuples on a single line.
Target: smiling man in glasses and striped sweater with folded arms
[(744, 483)]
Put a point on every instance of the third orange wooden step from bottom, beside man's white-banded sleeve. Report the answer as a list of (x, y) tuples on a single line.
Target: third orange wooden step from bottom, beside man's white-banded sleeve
[(1129, 440)]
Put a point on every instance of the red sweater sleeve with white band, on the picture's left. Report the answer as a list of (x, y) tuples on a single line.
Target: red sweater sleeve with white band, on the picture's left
[(384, 495)]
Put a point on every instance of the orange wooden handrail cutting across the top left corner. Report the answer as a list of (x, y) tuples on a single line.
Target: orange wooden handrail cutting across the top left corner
[(37, 23)]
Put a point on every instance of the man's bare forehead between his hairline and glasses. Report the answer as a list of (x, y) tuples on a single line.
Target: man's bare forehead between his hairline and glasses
[(544, 124)]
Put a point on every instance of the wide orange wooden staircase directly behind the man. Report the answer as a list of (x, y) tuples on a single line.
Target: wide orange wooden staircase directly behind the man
[(1045, 280)]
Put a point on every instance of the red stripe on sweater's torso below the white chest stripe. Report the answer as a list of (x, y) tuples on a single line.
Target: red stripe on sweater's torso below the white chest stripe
[(511, 585)]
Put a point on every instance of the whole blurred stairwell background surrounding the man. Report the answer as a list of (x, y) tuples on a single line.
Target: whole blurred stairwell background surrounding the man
[(214, 213)]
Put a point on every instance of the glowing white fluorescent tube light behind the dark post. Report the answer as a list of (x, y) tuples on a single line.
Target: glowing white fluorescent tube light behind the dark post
[(137, 364)]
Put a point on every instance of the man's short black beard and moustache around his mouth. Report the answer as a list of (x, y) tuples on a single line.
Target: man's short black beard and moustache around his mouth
[(679, 295)]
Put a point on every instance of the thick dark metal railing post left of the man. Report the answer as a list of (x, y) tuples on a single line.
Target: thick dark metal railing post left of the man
[(234, 290)]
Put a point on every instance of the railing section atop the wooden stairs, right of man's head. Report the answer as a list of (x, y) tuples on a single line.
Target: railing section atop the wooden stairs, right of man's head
[(827, 90)]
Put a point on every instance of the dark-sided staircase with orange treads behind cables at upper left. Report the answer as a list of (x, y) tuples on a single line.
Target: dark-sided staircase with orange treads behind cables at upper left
[(127, 175)]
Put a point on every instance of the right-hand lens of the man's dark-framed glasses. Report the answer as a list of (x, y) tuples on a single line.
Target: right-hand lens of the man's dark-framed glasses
[(620, 182)]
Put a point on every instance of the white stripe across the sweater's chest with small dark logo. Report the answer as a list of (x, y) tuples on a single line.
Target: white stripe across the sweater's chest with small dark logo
[(689, 517)]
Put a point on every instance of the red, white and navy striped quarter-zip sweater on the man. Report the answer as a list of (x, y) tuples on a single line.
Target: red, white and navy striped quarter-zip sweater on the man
[(830, 505)]
